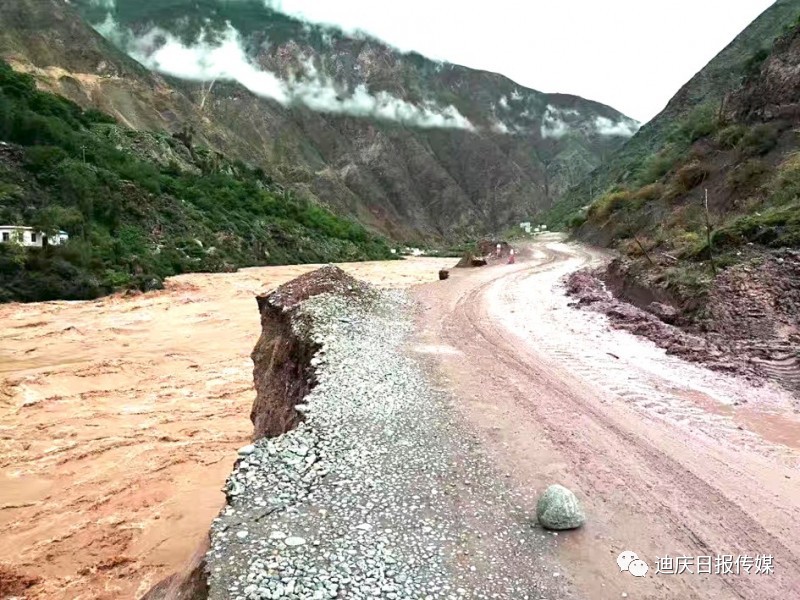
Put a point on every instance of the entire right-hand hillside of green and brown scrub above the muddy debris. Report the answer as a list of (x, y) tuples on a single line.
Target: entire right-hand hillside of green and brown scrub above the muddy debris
[(730, 136)]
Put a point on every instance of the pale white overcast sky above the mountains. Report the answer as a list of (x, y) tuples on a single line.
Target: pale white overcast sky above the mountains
[(633, 55)]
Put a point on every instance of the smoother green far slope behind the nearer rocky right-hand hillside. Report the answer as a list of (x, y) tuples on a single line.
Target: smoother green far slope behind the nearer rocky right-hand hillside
[(690, 107)]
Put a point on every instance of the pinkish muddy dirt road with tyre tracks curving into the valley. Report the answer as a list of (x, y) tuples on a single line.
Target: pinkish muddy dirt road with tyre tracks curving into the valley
[(669, 459)]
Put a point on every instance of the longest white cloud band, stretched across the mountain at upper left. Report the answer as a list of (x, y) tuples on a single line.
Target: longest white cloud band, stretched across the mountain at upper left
[(226, 60)]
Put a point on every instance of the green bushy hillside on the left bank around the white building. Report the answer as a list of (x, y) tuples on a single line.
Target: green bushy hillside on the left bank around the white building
[(133, 220)]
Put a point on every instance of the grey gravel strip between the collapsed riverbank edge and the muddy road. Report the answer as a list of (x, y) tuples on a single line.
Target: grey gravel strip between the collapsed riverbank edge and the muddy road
[(380, 492)]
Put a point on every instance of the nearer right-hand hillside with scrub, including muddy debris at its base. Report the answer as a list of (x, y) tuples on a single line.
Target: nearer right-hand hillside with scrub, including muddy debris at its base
[(732, 275)]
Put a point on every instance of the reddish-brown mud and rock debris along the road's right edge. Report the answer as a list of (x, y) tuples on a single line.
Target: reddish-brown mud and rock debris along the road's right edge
[(749, 322)]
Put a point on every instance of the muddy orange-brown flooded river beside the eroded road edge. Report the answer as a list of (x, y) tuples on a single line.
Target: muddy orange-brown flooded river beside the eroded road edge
[(119, 422)]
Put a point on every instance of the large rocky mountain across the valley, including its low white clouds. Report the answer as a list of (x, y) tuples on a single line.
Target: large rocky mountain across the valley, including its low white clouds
[(412, 148)]
